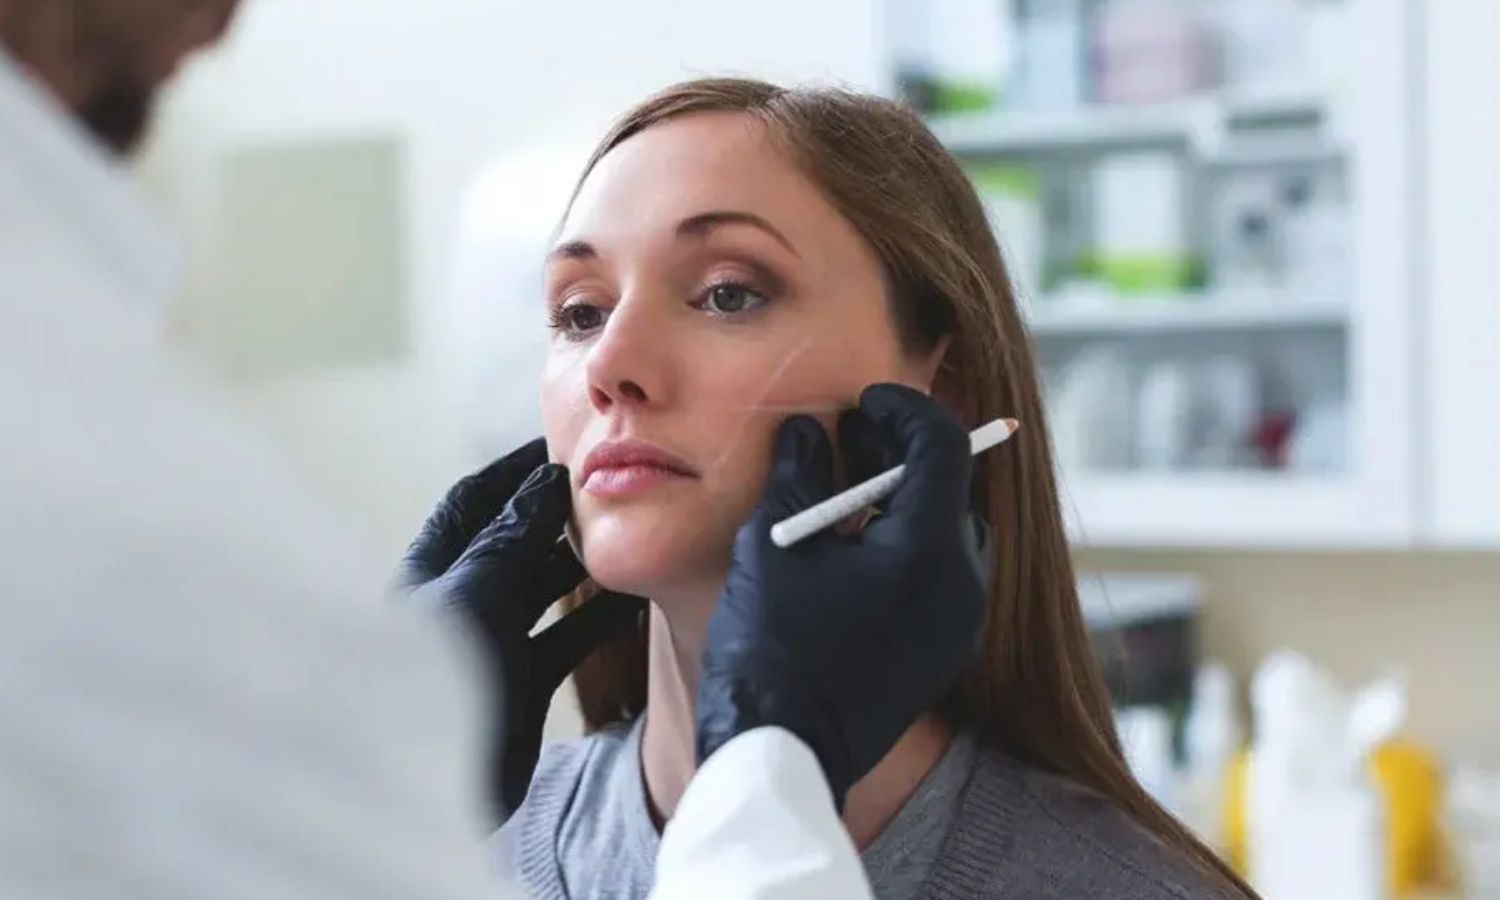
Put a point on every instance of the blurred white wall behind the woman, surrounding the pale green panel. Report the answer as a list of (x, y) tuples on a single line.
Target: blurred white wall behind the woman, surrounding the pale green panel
[(463, 83)]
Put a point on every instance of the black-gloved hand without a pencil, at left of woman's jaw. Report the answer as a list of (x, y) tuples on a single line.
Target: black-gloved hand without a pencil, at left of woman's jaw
[(491, 553)]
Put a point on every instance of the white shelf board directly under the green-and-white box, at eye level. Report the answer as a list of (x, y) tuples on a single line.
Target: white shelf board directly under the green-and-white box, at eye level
[(1184, 316)]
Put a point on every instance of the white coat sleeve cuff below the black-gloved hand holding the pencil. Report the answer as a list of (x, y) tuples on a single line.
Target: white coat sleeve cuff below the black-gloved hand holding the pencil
[(758, 823)]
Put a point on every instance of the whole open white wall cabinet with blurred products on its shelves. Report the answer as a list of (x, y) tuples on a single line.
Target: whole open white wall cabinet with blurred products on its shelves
[(1216, 220)]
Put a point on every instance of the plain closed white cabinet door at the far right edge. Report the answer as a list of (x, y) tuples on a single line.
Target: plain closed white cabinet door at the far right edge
[(1462, 299)]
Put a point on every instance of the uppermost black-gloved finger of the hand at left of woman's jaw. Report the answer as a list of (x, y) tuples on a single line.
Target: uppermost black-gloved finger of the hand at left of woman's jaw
[(464, 512)]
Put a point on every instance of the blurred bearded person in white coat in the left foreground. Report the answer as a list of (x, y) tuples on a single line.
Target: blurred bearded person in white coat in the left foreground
[(197, 695)]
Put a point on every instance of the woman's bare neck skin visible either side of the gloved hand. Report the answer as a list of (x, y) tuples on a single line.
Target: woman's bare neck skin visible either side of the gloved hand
[(668, 754)]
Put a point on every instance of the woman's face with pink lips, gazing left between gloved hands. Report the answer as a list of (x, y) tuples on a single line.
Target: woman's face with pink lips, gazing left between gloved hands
[(703, 290)]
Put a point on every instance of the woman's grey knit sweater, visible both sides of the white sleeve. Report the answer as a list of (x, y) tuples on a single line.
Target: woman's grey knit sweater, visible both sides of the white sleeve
[(1016, 833)]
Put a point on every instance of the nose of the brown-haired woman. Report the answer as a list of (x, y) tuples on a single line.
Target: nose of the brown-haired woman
[(626, 365)]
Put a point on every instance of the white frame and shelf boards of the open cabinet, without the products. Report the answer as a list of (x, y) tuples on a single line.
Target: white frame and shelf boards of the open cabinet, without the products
[(1363, 331)]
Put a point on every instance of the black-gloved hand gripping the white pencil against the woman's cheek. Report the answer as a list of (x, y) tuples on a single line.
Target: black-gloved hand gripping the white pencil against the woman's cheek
[(845, 641)]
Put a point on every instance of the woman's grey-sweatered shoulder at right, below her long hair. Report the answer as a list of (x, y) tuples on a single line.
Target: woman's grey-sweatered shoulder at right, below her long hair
[(1042, 835)]
